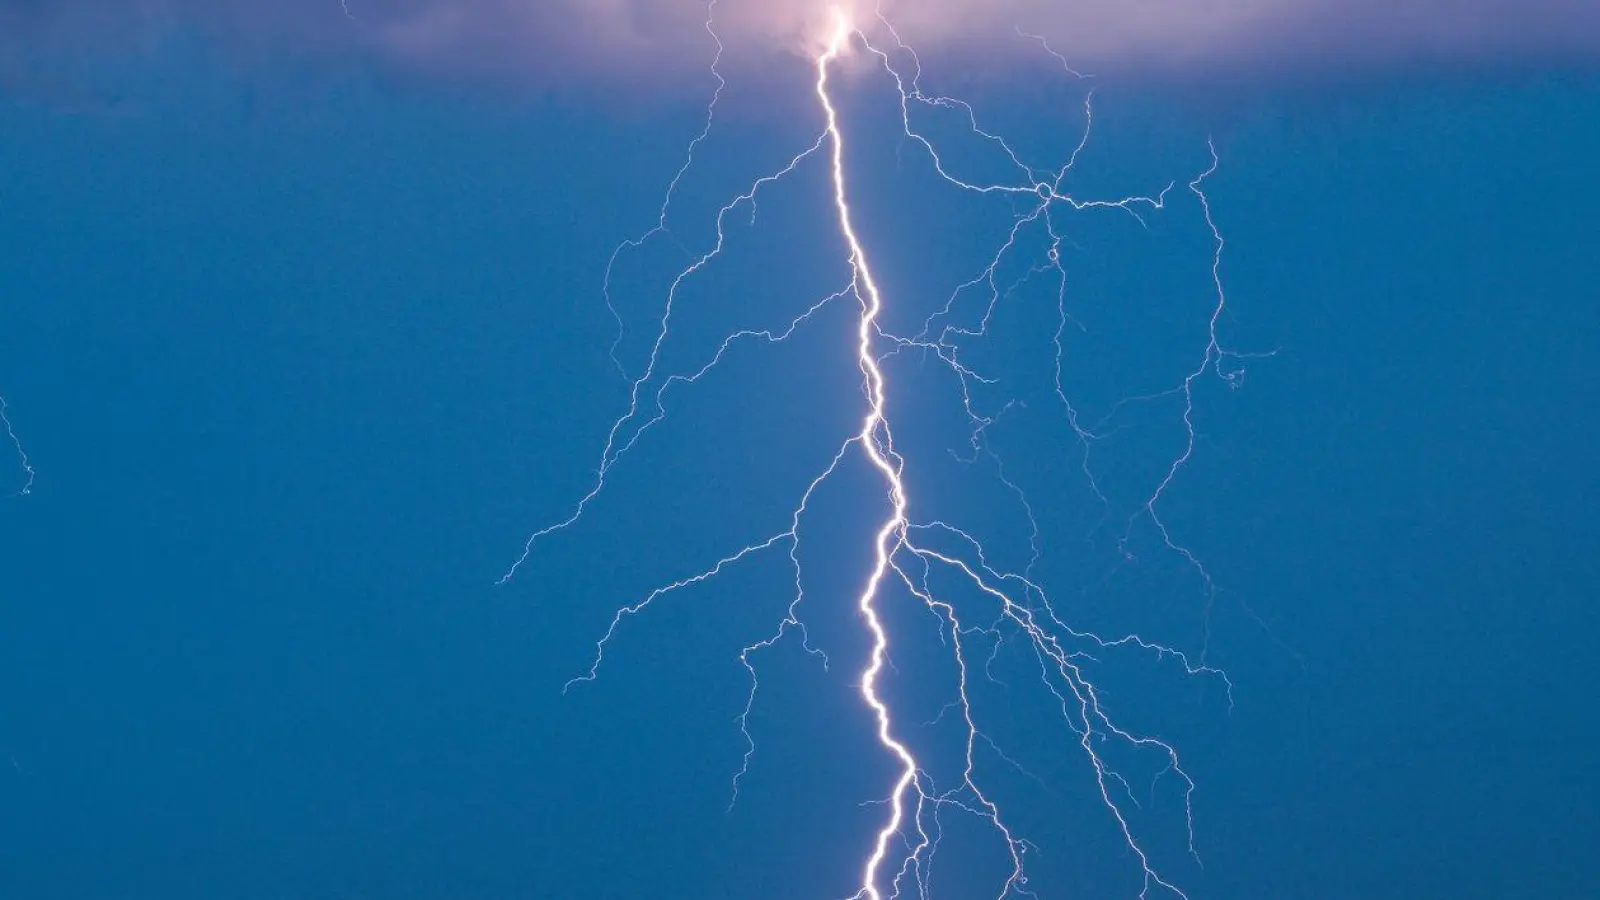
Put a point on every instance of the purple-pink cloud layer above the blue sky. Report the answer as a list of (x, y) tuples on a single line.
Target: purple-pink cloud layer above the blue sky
[(641, 41)]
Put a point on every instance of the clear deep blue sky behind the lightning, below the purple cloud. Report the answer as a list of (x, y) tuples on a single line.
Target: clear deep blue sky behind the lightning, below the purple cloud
[(302, 356)]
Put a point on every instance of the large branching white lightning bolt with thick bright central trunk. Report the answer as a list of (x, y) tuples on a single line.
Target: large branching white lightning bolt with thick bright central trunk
[(980, 608)]
